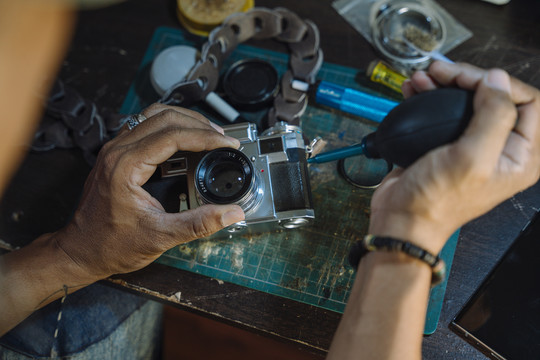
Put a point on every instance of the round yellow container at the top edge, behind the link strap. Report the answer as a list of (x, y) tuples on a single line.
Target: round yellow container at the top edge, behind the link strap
[(201, 16)]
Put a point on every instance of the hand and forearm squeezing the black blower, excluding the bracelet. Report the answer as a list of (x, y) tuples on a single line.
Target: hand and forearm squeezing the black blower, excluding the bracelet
[(497, 156)]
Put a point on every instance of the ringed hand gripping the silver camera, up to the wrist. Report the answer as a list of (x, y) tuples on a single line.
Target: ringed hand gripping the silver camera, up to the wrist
[(119, 227)]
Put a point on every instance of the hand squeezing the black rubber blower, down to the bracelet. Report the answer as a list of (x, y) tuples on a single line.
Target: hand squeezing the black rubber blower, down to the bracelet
[(498, 155)]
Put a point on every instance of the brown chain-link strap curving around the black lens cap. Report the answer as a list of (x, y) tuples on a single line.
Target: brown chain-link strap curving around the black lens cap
[(306, 57)]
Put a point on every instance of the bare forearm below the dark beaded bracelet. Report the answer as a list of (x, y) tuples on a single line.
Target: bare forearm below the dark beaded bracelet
[(384, 317)]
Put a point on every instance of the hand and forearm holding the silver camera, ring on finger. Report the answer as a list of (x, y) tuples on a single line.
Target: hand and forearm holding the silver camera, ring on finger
[(118, 226)]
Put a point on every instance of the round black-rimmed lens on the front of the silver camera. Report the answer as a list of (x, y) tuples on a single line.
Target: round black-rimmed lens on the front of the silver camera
[(224, 176)]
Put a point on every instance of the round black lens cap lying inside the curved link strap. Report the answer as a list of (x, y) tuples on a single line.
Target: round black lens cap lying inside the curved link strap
[(251, 84)]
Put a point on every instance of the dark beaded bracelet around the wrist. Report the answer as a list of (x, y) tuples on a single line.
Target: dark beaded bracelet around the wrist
[(380, 243)]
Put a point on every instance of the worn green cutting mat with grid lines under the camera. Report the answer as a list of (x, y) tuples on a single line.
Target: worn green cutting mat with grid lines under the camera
[(308, 264)]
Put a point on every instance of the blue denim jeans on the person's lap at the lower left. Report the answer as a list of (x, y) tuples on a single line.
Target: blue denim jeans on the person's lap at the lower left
[(97, 322)]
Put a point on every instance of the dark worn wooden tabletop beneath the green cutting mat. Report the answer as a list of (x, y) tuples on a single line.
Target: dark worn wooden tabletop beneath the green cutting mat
[(106, 51)]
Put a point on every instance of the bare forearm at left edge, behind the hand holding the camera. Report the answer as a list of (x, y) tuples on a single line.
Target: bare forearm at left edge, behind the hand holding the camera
[(34, 276)]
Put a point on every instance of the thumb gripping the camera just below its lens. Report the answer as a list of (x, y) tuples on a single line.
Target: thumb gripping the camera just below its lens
[(201, 222)]
